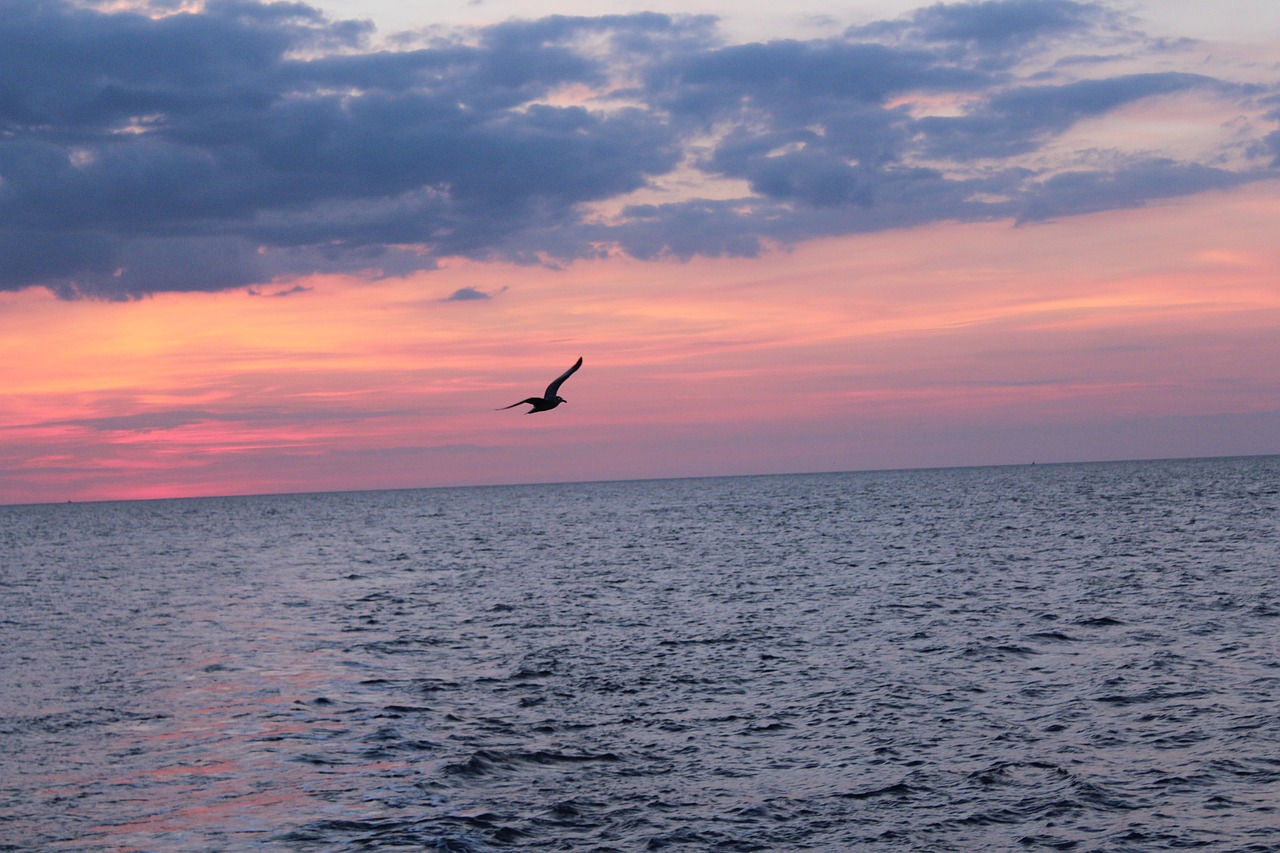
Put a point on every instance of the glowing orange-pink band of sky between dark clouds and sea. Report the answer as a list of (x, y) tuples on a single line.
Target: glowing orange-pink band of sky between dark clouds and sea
[(868, 352)]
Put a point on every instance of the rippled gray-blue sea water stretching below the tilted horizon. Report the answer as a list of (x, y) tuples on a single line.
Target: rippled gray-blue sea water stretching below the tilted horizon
[(1039, 658)]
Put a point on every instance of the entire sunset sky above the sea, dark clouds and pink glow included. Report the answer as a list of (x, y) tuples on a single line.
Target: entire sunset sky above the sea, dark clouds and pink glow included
[(253, 248)]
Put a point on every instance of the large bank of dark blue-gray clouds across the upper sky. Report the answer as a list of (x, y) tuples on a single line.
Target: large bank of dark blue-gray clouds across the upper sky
[(250, 142)]
